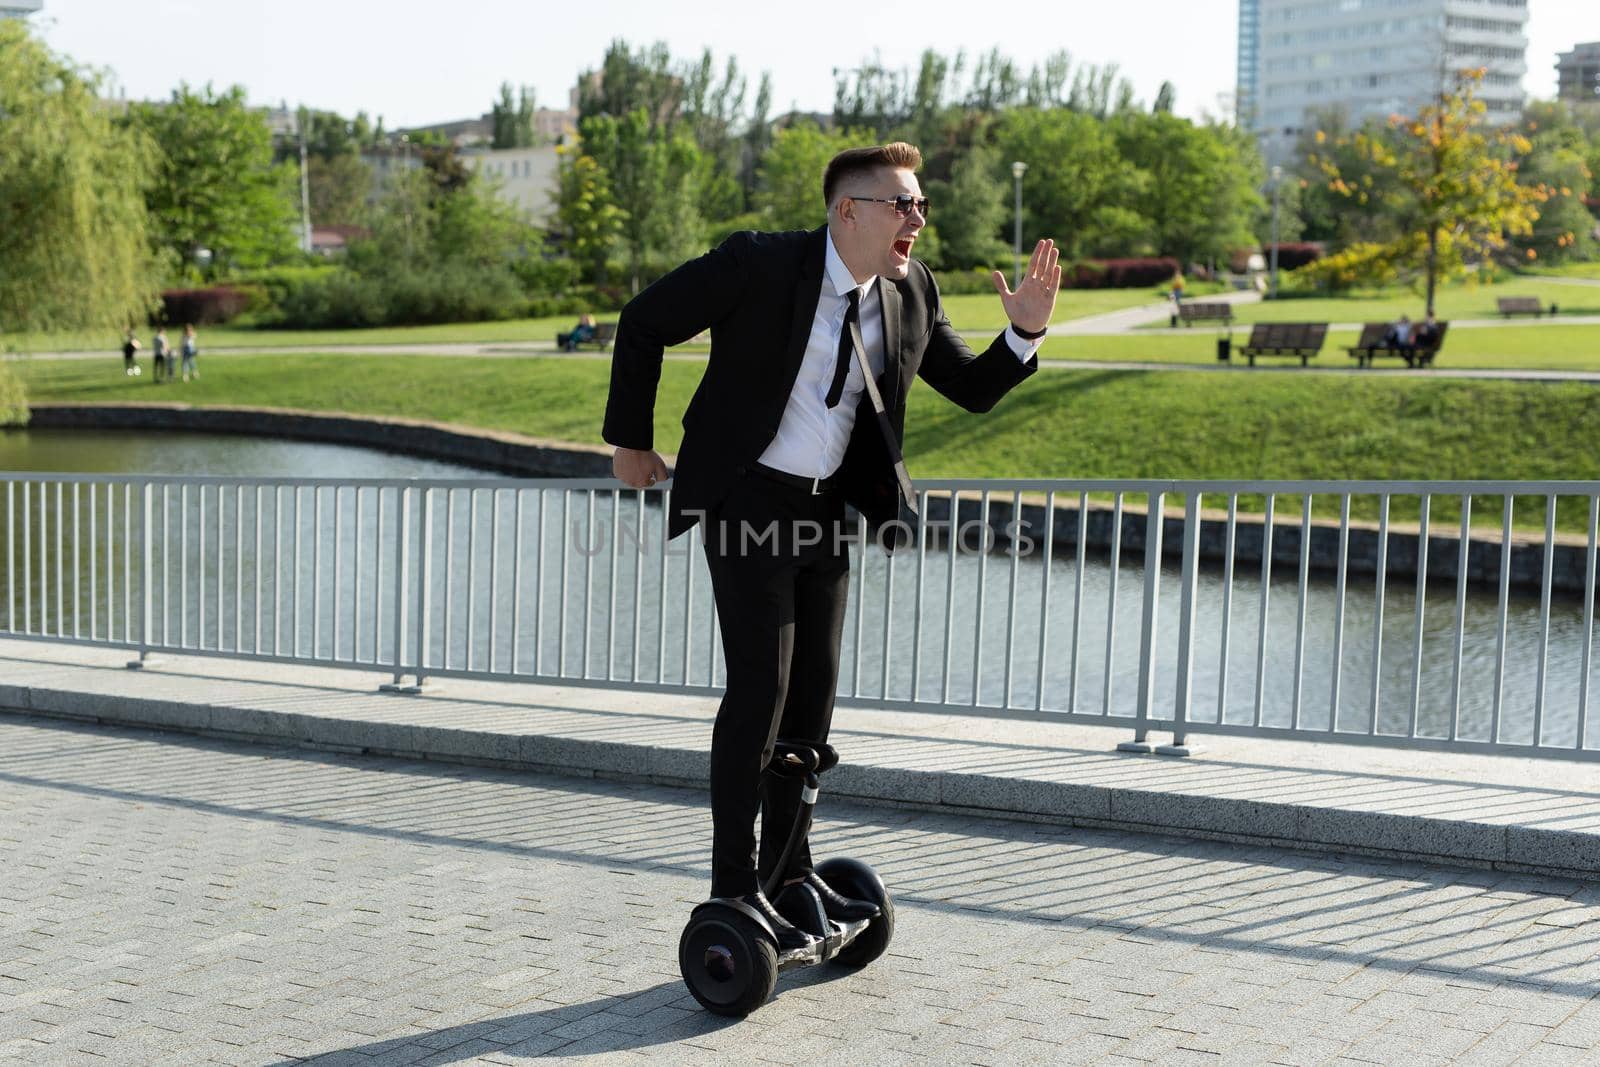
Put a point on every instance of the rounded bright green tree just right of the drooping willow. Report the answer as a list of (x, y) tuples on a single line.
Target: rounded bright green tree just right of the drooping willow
[(215, 183)]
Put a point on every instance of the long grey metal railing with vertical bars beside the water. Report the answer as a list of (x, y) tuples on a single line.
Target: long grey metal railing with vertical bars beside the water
[(1398, 633)]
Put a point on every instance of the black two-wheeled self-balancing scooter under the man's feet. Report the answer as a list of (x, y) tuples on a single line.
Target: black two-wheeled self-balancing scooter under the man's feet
[(729, 953)]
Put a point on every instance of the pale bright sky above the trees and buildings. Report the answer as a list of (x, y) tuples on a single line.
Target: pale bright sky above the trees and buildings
[(418, 63)]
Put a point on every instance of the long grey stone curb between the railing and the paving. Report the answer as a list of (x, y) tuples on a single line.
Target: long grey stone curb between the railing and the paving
[(1460, 842)]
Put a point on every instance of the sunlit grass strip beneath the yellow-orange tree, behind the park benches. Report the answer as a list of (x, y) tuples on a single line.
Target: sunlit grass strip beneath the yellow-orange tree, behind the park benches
[(1455, 302)]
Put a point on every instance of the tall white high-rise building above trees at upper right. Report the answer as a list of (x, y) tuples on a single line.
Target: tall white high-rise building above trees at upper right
[(1372, 58)]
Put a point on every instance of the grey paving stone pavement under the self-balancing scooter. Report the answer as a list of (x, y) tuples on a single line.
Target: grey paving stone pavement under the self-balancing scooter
[(177, 901)]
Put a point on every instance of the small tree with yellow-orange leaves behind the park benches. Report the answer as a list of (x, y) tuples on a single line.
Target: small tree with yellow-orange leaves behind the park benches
[(1455, 191)]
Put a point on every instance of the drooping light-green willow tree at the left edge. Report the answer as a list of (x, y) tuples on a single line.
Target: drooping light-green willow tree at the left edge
[(73, 225)]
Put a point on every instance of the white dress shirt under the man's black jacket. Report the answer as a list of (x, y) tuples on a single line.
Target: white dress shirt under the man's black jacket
[(812, 438)]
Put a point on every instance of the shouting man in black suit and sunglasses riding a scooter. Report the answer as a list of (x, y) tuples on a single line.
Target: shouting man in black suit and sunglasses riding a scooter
[(783, 433)]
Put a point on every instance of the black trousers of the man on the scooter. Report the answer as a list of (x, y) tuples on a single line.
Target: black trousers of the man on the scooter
[(780, 570)]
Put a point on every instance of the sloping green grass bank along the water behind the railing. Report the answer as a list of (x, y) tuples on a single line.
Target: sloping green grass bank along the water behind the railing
[(1062, 425)]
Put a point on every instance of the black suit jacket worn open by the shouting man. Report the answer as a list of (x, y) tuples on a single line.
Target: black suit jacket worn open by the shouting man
[(758, 294)]
